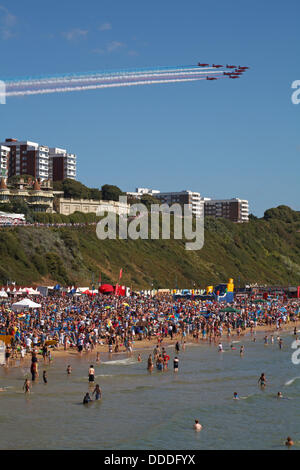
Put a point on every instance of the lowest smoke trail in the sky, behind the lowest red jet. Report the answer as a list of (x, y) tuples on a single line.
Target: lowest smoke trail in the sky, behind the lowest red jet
[(94, 87)]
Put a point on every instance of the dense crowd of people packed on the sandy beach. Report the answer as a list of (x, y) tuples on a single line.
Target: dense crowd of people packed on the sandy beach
[(83, 323)]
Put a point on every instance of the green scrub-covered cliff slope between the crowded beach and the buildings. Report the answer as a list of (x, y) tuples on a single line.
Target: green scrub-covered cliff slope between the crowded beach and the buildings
[(264, 250)]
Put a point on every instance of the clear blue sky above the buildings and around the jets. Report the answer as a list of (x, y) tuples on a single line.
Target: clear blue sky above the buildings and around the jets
[(227, 138)]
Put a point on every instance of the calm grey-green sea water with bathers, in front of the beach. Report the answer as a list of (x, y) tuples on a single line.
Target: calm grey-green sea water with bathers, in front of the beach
[(157, 411)]
